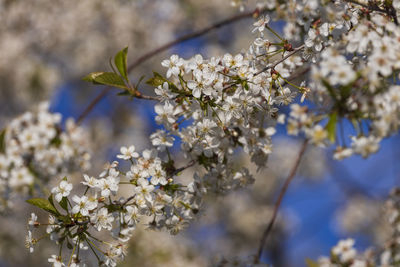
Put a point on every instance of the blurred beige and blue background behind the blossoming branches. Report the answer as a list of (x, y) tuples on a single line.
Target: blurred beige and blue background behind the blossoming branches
[(46, 47)]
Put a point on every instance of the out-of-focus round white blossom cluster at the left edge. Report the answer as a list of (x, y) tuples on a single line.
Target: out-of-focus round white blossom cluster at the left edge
[(35, 149)]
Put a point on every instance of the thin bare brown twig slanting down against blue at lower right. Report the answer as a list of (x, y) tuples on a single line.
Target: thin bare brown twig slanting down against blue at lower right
[(279, 200)]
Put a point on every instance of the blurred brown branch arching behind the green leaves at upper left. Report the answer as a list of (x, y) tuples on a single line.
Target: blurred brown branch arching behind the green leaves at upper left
[(166, 46)]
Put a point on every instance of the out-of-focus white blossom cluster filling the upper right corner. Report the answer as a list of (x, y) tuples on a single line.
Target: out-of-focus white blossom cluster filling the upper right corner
[(354, 51)]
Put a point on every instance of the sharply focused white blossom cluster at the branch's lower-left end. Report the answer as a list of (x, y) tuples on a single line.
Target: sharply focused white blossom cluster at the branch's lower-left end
[(154, 198)]
